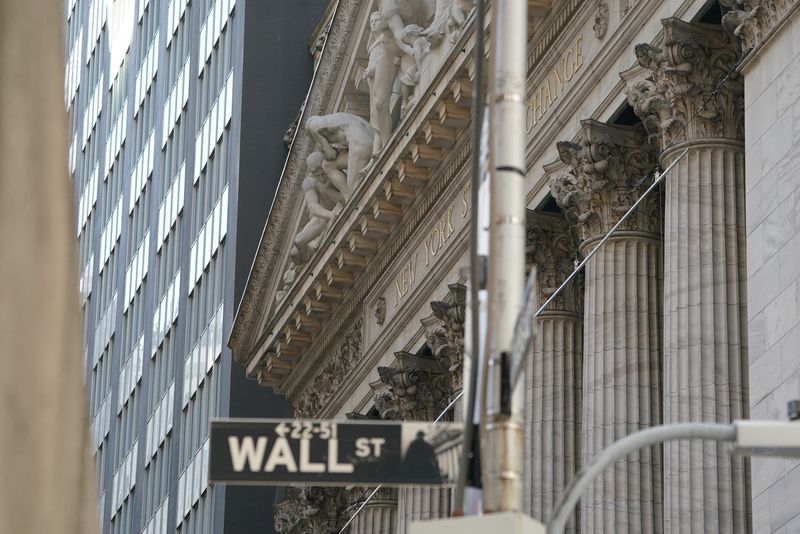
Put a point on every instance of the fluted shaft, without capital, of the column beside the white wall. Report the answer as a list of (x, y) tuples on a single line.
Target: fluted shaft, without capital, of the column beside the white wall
[(705, 361)]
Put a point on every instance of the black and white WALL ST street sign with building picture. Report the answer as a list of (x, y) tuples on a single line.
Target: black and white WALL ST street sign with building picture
[(334, 453)]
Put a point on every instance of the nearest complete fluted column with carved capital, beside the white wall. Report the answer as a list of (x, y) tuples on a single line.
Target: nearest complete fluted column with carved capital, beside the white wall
[(705, 348)]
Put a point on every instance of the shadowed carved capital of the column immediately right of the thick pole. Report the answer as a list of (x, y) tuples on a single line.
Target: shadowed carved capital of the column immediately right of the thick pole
[(553, 248)]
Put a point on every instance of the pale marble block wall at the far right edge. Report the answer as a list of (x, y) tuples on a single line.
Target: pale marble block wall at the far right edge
[(772, 142)]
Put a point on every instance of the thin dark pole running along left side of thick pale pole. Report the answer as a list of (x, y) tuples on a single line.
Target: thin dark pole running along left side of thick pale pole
[(476, 266)]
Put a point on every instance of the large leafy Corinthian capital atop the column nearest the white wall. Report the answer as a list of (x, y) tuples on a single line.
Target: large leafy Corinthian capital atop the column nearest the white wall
[(679, 95)]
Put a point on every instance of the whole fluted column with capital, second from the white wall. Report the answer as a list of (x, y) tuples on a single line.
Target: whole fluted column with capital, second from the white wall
[(622, 319)]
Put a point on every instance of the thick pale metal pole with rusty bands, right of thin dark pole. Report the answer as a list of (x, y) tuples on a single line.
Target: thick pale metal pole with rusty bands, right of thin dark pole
[(502, 425)]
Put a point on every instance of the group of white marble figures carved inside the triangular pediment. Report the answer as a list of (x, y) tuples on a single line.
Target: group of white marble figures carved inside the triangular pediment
[(402, 33)]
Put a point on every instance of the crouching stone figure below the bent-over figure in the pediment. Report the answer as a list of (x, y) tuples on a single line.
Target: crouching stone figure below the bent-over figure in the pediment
[(324, 202)]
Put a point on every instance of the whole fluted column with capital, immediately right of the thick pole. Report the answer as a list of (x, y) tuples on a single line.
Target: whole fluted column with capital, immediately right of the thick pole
[(553, 372)]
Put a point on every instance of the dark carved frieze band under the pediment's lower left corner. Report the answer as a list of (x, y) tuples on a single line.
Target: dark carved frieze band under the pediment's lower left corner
[(343, 359)]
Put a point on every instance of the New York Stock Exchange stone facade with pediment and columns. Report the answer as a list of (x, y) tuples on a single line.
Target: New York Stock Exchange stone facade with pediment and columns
[(681, 316)]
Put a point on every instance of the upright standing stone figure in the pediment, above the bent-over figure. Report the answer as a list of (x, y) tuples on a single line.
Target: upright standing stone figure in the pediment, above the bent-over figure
[(384, 57)]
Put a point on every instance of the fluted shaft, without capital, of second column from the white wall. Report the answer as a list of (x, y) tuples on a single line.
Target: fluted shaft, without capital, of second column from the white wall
[(621, 381)]
